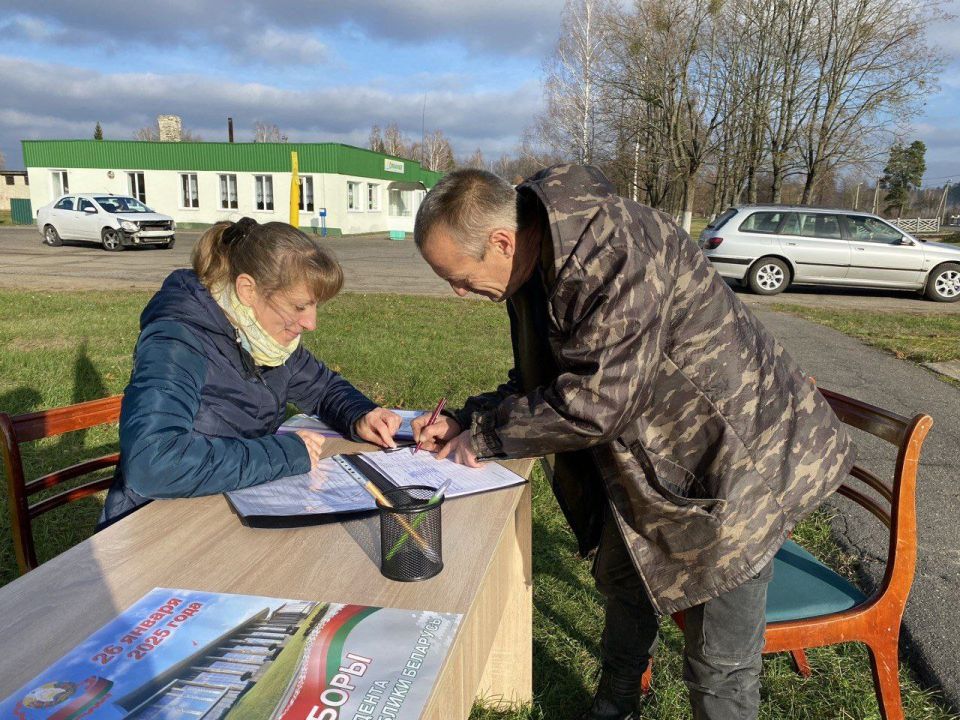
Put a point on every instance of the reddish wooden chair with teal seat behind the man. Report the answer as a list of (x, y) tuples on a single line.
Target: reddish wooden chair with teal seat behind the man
[(809, 605)]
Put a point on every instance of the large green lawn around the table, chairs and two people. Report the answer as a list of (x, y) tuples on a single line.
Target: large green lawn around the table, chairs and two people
[(405, 351)]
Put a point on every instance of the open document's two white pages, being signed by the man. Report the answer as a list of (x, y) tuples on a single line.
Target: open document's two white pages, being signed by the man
[(329, 490)]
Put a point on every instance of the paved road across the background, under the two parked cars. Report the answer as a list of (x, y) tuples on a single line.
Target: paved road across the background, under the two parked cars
[(371, 264)]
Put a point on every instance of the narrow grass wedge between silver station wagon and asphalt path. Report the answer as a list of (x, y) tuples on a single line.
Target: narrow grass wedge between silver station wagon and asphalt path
[(920, 337)]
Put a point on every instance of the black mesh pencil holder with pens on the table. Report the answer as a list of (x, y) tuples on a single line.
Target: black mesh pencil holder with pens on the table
[(410, 542)]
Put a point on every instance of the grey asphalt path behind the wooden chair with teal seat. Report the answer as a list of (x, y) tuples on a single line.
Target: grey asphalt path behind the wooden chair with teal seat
[(841, 363)]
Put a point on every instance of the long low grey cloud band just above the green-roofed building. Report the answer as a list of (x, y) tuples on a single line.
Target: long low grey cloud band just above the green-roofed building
[(46, 100)]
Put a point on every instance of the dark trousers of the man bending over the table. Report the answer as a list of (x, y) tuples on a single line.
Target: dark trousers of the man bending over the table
[(723, 637)]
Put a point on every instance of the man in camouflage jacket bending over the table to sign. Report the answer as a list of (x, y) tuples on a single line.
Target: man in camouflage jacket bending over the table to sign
[(687, 443)]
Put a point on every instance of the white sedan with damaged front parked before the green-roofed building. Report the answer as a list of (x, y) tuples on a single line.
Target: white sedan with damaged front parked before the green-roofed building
[(115, 221)]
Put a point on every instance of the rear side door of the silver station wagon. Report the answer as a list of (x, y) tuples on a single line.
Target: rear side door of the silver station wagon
[(814, 241)]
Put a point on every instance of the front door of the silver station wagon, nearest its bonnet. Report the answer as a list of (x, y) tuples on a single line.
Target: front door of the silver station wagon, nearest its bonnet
[(878, 258)]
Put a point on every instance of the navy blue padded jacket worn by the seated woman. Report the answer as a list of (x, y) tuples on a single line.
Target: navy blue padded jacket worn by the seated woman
[(198, 417)]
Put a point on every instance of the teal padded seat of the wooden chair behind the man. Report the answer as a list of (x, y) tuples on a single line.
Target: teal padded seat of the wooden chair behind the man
[(803, 587)]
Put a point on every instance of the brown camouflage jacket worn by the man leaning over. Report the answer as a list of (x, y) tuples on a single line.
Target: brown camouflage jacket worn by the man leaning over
[(710, 442)]
